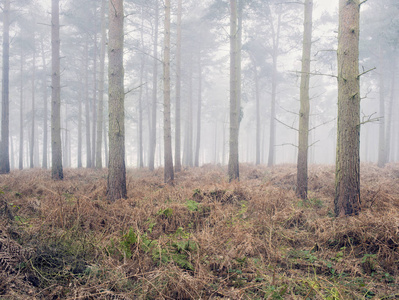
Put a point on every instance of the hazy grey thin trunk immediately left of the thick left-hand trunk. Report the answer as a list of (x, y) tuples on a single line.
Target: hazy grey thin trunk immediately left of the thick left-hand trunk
[(100, 116)]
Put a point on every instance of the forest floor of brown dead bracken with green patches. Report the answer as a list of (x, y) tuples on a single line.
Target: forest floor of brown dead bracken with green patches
[(203, 238)]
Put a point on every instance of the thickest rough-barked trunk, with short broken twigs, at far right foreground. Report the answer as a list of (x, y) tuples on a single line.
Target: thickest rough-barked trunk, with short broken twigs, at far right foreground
[(347, 178)]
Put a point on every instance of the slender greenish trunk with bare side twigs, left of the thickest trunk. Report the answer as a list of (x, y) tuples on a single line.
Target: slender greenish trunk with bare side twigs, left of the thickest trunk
[(303, 138)]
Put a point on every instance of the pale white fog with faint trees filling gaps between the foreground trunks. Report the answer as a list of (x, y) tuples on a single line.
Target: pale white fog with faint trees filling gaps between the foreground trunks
[(267, 26)]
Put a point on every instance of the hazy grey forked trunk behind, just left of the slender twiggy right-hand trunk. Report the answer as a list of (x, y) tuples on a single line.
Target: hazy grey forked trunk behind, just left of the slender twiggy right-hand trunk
[(272, 136)]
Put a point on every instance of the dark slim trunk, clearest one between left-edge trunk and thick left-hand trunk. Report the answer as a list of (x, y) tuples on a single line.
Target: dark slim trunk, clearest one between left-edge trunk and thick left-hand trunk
[(56, 151)]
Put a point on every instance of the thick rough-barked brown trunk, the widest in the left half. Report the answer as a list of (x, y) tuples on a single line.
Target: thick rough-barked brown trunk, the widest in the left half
[(117, 170)]
